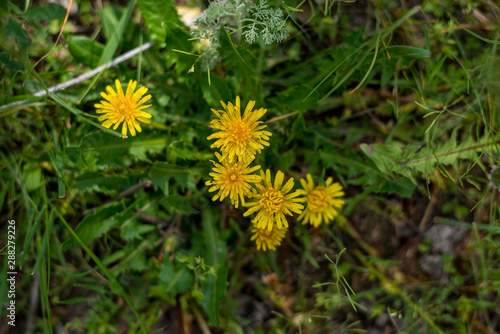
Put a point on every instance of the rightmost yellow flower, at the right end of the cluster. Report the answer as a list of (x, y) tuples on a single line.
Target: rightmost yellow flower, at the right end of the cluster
[(323, 203)]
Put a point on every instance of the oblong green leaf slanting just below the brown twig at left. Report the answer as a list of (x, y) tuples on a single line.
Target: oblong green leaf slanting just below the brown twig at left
[(95, 225)]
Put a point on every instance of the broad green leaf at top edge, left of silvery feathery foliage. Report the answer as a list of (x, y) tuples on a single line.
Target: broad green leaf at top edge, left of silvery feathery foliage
[(159, 14)]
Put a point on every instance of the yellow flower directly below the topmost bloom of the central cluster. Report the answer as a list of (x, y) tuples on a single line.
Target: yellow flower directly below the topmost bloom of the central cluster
[(231, 179)]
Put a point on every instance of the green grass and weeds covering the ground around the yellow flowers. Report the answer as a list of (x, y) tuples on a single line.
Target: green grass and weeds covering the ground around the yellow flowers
[(397, 102)]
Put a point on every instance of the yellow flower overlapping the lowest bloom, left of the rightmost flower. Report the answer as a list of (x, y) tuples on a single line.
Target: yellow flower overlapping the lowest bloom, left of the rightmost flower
[(273, 203)]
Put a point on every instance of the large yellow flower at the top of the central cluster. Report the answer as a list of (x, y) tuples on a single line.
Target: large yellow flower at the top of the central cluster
[(237, 135)]
